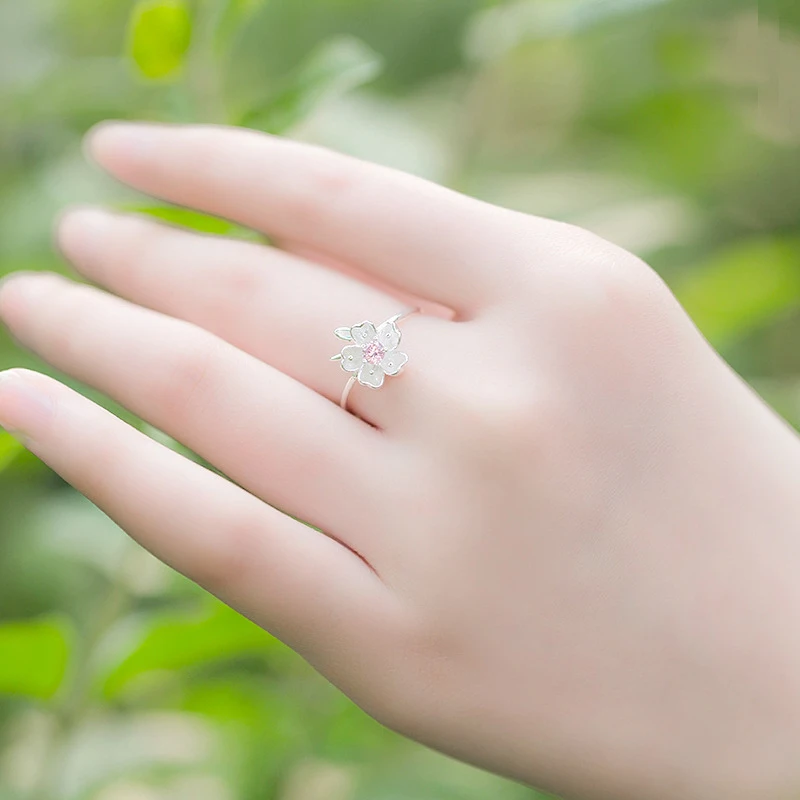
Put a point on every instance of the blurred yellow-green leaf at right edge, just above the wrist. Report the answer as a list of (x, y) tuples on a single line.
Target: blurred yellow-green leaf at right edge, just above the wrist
[(742, 288)]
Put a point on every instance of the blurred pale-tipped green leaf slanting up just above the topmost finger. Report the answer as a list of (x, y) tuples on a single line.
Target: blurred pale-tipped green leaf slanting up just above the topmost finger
[(339, 66)]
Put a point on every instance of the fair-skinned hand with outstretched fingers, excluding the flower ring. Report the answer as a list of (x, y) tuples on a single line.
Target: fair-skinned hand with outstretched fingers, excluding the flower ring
[(561, 545)]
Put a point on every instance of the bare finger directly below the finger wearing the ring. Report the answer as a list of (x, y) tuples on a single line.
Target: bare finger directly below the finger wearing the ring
[(267, 432)]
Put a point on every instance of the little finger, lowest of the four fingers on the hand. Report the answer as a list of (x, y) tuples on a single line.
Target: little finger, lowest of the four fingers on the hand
[(303, 586)]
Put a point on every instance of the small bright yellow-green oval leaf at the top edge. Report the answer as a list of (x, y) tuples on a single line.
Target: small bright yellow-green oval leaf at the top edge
[(159, 35)]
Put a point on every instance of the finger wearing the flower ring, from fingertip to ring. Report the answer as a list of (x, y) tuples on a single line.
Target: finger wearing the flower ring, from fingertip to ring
[(277, 307)]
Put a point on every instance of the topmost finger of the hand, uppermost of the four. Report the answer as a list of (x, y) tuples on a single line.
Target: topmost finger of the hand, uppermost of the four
[(420, 237)]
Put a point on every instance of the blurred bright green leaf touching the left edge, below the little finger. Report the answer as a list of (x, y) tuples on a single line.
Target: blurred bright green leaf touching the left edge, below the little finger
[(34, 657)]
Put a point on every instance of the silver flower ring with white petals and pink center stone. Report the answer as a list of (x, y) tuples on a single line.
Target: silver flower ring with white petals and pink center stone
[(372, 353)]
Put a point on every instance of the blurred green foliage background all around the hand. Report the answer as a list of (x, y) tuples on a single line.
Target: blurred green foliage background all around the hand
[(670, 127)]
